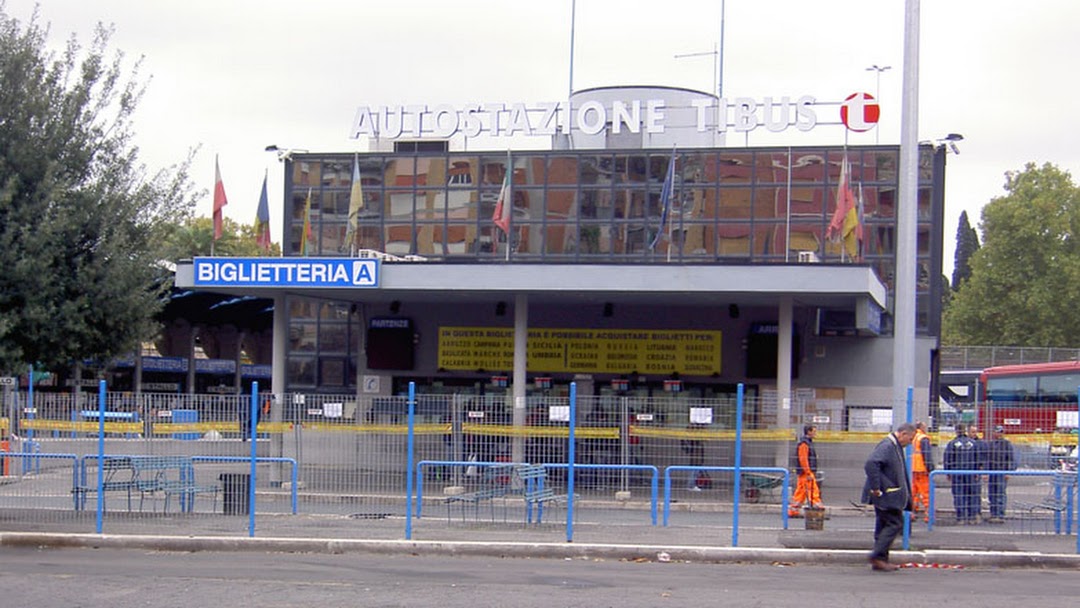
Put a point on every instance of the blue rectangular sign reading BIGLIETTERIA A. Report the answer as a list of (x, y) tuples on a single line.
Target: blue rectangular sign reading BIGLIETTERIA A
[(287, 273)]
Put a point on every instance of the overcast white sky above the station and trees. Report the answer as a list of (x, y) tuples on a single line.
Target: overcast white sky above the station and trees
[(232, 77)]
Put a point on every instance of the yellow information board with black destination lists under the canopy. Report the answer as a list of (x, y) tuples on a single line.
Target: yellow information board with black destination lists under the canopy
[(584, 352)]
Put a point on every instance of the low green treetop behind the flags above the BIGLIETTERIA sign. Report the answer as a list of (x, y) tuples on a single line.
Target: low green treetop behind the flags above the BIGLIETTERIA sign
[(196, 238)]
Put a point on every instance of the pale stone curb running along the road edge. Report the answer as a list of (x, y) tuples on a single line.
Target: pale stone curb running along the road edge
[(548, 550)]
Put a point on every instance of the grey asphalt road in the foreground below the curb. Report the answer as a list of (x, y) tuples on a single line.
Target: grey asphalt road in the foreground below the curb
[(116, 578)]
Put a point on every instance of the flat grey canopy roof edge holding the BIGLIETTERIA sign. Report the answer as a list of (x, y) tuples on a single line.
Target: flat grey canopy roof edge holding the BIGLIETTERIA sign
[(839, 287)]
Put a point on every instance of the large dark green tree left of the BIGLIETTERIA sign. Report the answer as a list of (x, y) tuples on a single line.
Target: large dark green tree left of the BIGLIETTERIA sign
[(82, 220)]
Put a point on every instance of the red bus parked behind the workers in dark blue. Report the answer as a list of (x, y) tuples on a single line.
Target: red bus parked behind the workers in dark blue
[(1039, 398)]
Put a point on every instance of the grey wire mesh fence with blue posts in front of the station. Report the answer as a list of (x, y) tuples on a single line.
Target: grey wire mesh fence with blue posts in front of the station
[(183, 464)]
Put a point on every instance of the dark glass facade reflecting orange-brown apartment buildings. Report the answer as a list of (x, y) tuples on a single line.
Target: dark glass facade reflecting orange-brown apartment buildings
[(768, 206)]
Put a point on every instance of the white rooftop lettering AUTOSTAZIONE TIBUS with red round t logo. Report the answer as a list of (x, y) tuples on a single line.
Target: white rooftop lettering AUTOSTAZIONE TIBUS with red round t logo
[(742, 115)]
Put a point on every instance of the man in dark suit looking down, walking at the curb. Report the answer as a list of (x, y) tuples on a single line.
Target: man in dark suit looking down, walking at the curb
[(888, 488)]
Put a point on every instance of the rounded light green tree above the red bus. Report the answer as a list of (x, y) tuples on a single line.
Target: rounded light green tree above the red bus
[(1025, 280)]
